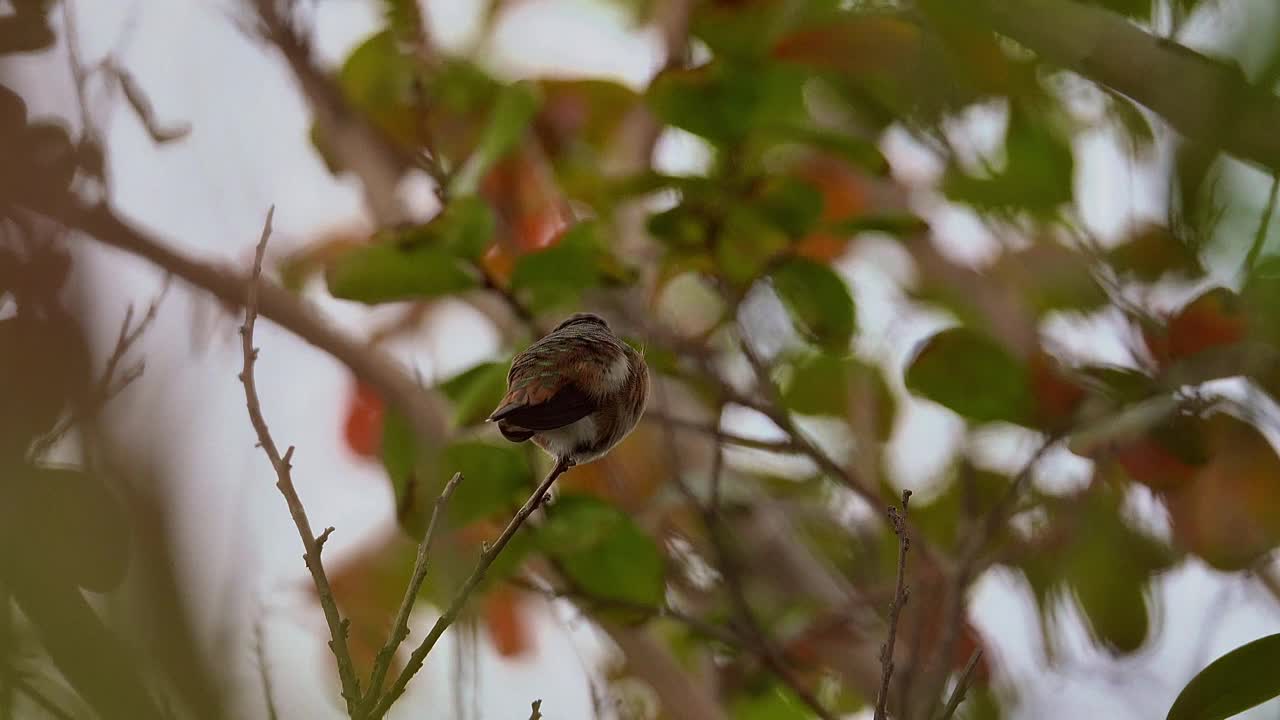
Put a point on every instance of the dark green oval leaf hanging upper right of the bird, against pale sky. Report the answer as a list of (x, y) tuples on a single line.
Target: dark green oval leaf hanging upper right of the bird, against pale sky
[(819, 300)]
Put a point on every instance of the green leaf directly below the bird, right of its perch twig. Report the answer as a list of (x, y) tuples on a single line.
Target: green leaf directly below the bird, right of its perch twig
[(604, 552)]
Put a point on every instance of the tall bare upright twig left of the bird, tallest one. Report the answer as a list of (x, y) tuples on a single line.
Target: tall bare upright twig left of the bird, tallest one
[(285, 484)]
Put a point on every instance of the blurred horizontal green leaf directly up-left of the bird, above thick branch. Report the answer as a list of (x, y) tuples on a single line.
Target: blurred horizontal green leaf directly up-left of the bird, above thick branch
[(387, 272)]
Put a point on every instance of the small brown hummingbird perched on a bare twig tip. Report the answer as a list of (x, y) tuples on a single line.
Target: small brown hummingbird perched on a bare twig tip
[(577, 393)]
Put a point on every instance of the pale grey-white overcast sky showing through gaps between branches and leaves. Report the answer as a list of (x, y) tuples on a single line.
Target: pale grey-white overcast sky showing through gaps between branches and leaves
[(250, 149)]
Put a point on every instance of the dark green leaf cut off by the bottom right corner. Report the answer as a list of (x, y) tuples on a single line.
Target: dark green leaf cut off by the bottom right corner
[(1233, 683)]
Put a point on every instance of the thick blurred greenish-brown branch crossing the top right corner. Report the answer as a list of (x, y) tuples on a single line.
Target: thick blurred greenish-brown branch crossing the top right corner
[(1228, 112)]
